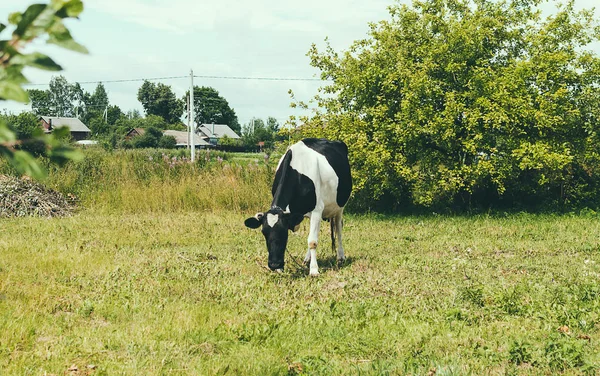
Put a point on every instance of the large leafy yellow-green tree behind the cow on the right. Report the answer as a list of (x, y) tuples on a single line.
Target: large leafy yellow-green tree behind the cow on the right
[(454, 101)]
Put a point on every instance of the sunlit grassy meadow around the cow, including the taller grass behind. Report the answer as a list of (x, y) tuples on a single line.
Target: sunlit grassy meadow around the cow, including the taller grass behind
[(156, 274)]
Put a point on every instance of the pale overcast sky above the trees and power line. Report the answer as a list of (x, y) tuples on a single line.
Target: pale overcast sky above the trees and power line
[(137, 39)]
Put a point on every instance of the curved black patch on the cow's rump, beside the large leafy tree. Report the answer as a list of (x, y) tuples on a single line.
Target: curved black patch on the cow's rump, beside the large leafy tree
[(336, 153)]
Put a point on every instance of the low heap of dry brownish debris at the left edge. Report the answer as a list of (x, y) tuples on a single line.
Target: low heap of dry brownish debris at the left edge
[(24, 197)]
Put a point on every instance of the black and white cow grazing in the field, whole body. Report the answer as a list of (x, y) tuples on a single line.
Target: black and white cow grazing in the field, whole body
[(312, 180)]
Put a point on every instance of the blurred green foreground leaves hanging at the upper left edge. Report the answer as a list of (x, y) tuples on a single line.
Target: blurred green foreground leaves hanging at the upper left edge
[(38, 20)]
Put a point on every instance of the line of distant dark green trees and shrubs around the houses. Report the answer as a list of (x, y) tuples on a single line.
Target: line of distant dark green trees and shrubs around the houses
[(109, 124)]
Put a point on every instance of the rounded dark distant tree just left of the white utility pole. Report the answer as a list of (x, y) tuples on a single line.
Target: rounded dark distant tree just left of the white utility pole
[(159, 99)]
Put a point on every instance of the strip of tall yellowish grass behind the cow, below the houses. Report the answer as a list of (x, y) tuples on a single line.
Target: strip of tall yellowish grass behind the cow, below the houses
[(135, 181)]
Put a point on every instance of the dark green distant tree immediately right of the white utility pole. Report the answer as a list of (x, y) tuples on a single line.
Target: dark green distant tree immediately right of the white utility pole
[(210, 107)]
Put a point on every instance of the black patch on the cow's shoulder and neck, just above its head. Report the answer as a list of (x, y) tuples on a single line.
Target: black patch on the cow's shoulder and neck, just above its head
[(290, 188)]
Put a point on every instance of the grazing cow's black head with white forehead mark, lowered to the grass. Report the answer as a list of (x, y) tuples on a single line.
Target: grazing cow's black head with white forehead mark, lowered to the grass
[(275, 225)]
